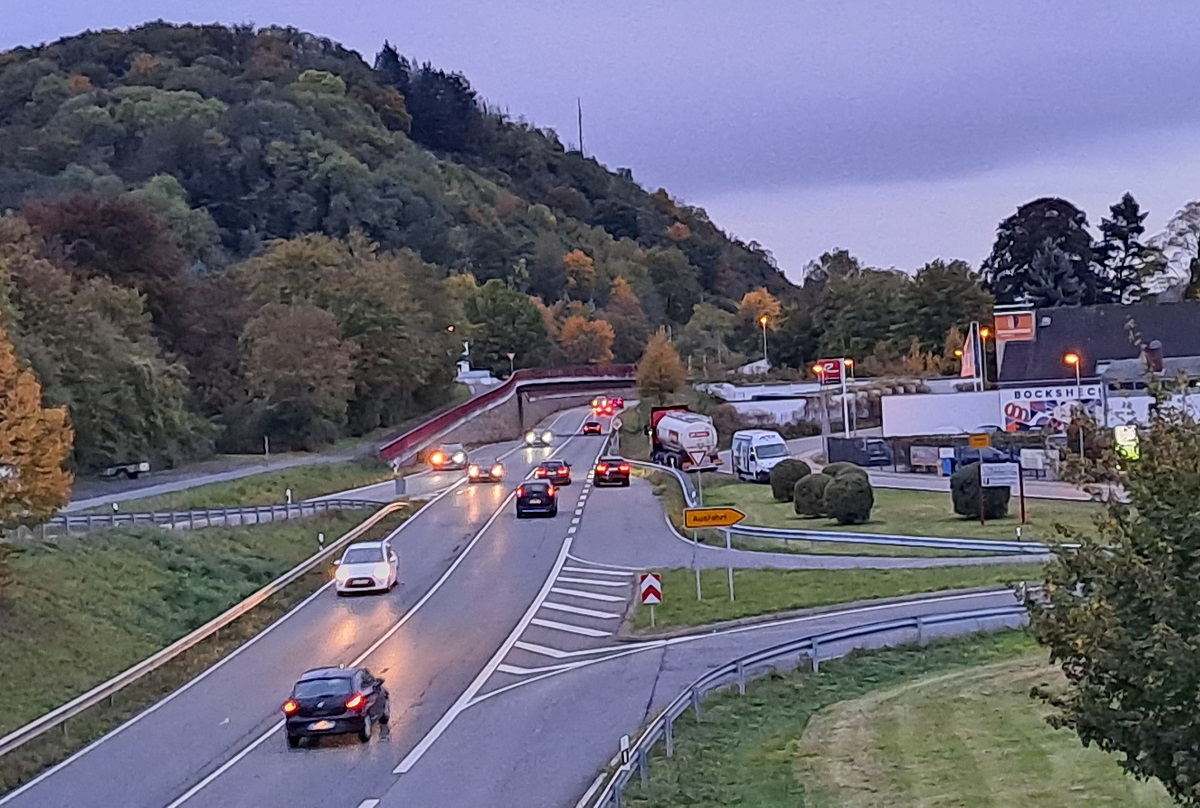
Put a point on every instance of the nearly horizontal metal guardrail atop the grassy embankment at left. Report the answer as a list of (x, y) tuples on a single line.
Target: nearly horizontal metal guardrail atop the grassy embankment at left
[(201, 518)]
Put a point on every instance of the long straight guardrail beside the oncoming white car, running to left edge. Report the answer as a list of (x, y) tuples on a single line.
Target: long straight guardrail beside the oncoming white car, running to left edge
[(59, 716)]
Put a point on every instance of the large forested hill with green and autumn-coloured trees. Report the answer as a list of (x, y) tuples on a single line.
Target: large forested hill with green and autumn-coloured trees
[(304, 229)]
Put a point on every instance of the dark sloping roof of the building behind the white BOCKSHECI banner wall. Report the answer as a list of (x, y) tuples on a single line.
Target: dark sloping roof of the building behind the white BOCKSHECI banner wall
[(1100, 337)]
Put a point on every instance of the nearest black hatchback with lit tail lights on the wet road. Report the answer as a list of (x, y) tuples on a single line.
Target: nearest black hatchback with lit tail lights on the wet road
[(335, 702)]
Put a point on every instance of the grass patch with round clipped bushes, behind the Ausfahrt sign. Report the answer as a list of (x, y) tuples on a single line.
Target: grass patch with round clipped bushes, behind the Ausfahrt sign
[(910, 513)]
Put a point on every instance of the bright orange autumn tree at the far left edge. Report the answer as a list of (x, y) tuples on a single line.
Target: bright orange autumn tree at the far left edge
[(35, 446)]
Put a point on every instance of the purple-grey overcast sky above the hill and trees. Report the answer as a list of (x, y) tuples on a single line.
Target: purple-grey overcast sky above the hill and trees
[(902, 131)]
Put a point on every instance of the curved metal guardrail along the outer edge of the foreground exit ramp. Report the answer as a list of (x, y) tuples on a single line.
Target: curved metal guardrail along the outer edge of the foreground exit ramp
[(736, 673)]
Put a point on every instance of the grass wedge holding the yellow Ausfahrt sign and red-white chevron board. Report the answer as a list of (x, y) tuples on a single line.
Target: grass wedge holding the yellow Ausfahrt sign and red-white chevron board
[(769, 591)]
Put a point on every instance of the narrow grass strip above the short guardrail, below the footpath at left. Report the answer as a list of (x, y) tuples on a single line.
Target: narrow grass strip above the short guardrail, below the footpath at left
[(266, 489)]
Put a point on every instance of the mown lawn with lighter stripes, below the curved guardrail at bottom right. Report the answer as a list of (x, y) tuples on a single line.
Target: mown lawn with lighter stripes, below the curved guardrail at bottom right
[(901, 727)]
